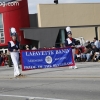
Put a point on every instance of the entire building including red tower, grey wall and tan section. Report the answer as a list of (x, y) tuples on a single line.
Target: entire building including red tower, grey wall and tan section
[(48, 26)]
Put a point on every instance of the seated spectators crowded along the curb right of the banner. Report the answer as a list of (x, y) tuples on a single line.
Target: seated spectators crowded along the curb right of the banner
[(91, 52)]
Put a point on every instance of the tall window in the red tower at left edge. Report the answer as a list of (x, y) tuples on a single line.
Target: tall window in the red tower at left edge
[(2, 37)]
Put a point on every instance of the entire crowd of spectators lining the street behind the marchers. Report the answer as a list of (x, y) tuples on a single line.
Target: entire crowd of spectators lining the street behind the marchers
[(90, 52)]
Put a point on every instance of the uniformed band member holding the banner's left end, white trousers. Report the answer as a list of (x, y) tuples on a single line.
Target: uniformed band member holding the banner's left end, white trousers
[(13, 47)]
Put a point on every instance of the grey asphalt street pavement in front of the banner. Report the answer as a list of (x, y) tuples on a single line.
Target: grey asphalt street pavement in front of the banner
[(52, 83)]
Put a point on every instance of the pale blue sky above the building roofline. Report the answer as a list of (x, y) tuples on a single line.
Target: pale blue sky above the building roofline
[(33, 3)]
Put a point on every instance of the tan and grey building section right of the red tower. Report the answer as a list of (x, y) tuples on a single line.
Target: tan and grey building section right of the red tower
[(54, 18)]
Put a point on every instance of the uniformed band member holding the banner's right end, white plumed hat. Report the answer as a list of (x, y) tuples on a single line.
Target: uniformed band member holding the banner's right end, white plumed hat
[(71, 42)]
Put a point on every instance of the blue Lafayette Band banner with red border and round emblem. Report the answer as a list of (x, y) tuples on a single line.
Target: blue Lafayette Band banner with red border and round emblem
[(46, 58)]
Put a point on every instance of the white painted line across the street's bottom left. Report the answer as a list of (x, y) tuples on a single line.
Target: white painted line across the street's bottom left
[(29, 97)]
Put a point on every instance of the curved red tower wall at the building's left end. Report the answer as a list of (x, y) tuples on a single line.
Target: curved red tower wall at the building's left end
[(15, 16)]
